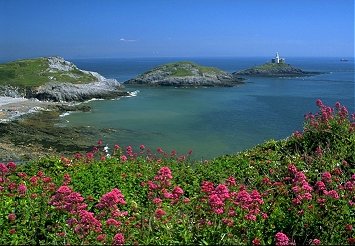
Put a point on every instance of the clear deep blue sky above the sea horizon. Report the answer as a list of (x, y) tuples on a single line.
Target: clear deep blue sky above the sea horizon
[(176, 28)]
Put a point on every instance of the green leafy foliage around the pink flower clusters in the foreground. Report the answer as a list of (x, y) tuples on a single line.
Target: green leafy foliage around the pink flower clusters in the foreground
[(324, 146)]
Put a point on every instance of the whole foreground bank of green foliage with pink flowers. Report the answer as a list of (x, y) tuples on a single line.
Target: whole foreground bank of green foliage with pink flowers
[(300, 190)]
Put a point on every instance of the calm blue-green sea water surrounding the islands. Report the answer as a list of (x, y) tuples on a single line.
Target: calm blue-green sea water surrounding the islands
[(213, 121)]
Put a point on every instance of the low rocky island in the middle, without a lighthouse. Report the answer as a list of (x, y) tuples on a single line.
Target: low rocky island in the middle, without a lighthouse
[(186, 74)]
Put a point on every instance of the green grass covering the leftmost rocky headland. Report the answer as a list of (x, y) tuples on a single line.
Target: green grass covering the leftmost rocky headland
[(33, 72)]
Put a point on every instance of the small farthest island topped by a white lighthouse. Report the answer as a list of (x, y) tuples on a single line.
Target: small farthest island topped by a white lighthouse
[(276, 68)]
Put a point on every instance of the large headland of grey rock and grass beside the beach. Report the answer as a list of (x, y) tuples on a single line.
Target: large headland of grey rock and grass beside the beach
[(54, 79)]
